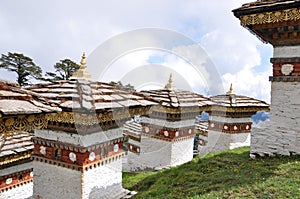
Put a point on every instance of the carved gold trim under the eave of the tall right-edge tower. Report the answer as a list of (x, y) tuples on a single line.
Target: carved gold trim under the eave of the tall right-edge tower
[(271, 17)]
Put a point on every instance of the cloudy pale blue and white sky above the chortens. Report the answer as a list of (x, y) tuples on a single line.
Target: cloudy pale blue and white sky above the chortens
[(200, 42)]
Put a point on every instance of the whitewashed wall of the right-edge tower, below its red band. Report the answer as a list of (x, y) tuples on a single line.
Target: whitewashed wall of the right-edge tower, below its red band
[(281, 134)]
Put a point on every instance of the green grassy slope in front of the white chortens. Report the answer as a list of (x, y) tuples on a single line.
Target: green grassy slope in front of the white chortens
[(229, 174)]
